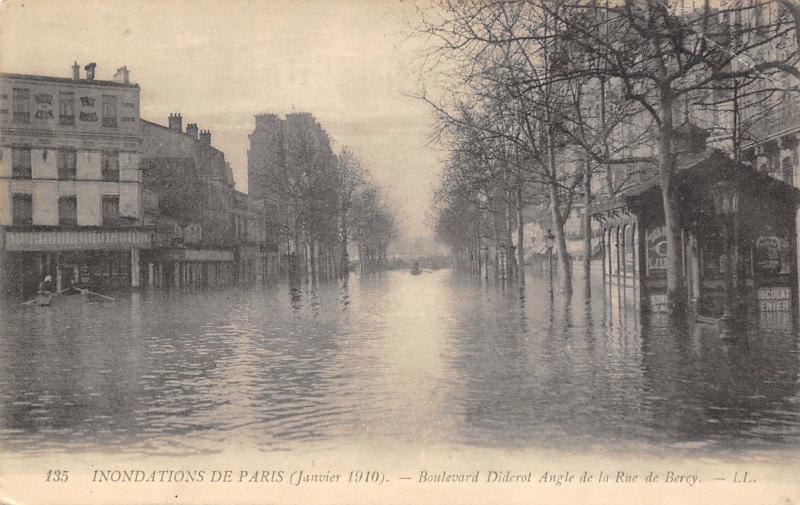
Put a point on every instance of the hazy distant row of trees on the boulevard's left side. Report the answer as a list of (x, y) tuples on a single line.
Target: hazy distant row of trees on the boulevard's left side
[(319, 202)]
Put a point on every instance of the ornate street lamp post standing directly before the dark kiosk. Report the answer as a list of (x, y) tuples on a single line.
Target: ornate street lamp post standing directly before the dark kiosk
[(726, 204)]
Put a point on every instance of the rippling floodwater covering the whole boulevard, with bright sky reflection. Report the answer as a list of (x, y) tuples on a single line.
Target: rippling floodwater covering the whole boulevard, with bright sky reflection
[(438, 358)]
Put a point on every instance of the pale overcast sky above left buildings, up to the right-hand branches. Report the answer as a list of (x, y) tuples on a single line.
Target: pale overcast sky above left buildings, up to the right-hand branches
[(218, 63)]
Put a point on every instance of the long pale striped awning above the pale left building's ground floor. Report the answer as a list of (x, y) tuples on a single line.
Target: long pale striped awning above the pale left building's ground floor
[(56, 239)]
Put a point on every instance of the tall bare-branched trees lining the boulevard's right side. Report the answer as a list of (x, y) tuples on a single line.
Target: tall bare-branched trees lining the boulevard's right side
[(541, 96)]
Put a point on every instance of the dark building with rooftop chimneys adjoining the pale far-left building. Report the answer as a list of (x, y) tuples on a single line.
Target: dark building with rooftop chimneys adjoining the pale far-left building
[(194, 187)]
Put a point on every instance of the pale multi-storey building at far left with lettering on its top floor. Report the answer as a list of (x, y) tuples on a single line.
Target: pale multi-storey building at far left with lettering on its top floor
[(70, 185)]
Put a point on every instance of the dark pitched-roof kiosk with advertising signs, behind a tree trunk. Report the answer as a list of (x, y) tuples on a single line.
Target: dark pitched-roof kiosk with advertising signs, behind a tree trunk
[(738, 239)]
